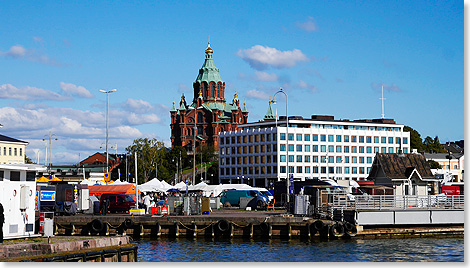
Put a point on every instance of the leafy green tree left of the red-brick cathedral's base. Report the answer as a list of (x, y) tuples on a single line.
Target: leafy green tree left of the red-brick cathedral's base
[(150, 154)]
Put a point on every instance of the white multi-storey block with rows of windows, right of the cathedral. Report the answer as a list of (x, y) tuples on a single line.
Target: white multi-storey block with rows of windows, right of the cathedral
[(321, 147)]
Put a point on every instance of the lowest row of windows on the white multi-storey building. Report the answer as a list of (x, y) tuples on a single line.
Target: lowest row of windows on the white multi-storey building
[(239, 171)]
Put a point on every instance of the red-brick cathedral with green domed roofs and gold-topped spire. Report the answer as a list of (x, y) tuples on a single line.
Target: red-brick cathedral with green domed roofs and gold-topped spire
[(208, 113)]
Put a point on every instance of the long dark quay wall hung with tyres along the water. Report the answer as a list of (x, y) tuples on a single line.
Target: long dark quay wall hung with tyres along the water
[(260, 224)]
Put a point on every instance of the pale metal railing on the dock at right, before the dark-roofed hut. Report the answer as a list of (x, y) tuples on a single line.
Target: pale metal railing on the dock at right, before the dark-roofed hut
[(328, 202)]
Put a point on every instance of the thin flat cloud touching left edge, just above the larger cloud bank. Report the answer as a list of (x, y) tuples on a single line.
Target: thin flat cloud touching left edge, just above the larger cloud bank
[(8, 91)]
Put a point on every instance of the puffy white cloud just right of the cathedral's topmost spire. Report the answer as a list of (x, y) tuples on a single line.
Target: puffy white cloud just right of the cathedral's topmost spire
[(261, 57)]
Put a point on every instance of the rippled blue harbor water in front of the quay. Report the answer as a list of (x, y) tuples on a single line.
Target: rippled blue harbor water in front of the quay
[(356, 250)]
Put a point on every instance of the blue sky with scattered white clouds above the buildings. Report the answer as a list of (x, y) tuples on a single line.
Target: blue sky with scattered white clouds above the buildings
[(330, 57)]
